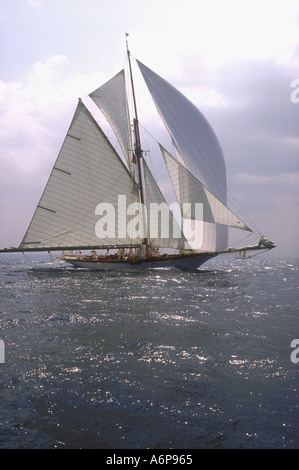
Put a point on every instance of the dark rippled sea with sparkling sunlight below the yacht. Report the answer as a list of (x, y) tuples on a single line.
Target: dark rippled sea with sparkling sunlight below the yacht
[(160, 359)]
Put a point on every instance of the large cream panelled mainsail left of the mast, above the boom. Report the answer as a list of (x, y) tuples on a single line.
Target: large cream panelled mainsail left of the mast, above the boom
[(87, 172)]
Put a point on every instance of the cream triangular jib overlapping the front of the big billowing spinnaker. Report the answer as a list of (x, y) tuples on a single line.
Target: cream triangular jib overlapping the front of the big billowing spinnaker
[(191, 191)]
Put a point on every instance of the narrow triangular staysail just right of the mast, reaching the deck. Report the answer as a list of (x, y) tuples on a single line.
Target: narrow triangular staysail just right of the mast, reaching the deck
[(163, 228)]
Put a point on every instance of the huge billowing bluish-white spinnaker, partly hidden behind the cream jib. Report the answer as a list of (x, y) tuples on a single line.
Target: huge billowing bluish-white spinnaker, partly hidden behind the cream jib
[(195, 145)]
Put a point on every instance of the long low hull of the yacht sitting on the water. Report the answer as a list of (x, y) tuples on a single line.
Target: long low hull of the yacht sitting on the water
[(184, 262)]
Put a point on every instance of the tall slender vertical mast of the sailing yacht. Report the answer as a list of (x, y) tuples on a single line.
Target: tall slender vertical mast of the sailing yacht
[(138, 149)]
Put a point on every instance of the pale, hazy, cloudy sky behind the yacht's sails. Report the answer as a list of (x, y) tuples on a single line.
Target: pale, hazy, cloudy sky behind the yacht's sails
[(237, 60)]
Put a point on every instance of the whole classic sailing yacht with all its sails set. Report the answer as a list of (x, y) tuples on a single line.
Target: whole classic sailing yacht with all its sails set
[(104, 198)]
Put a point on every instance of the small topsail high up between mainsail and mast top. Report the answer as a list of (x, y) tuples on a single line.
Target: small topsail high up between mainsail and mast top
[(111, 98)]
